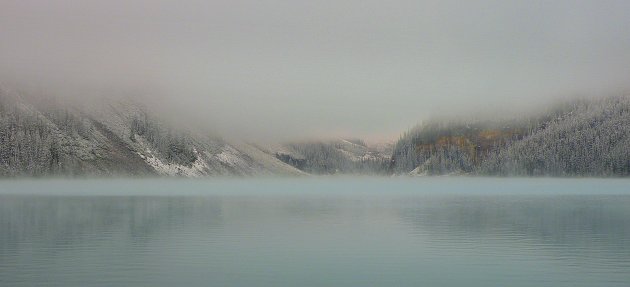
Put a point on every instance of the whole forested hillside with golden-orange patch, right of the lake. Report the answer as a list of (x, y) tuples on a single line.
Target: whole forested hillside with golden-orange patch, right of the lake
[(577, 138)]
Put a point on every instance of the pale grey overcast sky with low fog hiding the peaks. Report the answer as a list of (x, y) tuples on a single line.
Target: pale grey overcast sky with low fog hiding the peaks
[(283, 69)]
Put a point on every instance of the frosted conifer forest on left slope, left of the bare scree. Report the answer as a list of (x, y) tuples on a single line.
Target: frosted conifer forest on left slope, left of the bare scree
[(41, 136)]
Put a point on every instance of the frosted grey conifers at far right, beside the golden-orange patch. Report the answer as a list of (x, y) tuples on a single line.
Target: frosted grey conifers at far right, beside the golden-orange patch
[(592, 139)]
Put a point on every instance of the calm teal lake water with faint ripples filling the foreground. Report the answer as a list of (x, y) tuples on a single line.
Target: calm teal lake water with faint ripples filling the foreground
[(316, 232)]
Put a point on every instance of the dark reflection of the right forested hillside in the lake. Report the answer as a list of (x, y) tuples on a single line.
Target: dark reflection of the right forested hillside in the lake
[(577, 222)]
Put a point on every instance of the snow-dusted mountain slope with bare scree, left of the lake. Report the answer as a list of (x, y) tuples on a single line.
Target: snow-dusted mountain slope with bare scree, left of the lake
[(42, 138)]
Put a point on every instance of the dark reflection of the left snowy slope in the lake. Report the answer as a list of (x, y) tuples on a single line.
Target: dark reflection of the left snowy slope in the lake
[(67, 220)]
